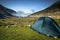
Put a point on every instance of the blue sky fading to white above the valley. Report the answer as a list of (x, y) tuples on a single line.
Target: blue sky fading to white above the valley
[(27, 5)]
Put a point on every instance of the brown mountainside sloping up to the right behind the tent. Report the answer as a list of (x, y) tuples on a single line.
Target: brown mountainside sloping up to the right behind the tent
[(52, 11)]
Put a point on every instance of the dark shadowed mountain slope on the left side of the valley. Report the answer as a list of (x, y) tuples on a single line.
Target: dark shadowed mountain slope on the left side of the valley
[(5, 12)]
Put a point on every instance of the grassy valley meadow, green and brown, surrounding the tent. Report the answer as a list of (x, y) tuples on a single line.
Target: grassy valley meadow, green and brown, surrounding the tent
[(18, 29)]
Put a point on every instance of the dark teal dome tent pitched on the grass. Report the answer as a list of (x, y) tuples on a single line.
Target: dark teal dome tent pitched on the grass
[(46, 26)]
